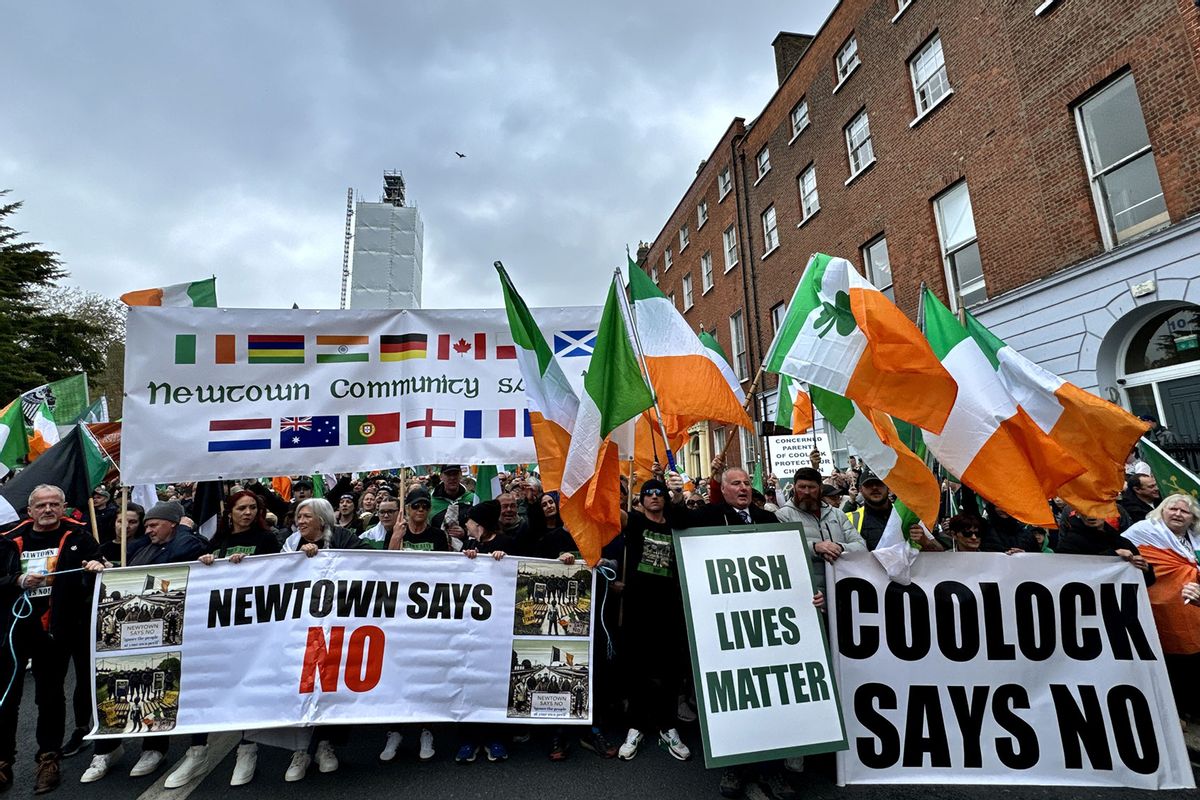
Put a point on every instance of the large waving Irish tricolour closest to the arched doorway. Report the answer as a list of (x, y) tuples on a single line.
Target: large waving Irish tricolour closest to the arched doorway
[(1097, 434)]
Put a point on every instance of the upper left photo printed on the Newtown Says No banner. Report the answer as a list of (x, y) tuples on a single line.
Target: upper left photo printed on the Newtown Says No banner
[(142, 609)]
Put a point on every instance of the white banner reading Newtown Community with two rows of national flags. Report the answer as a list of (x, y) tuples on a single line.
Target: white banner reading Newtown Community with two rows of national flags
[(223, 393)]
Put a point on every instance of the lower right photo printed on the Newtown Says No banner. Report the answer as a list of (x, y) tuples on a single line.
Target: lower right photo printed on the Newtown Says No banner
[(549, 679)]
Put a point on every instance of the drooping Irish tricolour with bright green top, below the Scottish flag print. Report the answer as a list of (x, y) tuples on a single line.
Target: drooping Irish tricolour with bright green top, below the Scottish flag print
[(614, 394)]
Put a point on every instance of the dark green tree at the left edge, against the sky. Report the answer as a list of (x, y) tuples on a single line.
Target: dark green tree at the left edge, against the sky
[(37, 345)]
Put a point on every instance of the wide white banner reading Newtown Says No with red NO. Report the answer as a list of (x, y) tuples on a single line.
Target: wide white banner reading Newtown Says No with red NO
[(344, 637)]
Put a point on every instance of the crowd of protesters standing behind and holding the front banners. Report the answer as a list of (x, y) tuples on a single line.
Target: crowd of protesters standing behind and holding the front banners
[(643, 690)]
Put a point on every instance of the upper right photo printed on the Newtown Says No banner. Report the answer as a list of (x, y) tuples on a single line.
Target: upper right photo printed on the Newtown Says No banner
[(553, 599)]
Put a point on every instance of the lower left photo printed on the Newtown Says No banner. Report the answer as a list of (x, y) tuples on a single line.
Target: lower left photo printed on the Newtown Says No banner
[(139, 695)]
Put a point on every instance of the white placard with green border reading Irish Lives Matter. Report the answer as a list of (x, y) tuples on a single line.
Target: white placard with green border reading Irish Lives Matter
[(764, 679)]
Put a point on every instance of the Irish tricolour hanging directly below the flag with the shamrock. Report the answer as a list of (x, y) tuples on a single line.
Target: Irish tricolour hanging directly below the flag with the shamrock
[(878, 442)]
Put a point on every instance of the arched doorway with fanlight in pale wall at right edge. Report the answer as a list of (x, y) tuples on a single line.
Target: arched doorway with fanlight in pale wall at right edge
[(1160, 371)]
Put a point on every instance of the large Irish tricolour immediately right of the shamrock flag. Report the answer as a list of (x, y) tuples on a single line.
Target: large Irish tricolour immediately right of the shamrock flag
[(989, 442)]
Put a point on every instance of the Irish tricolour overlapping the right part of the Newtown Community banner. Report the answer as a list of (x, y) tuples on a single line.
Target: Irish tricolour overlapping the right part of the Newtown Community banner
[(553, 404)]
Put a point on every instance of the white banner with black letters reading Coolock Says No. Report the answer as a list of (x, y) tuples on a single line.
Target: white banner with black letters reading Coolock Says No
[(992, 669)]
